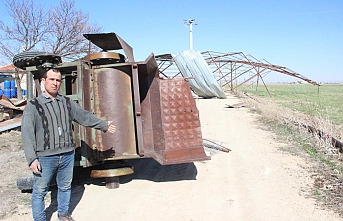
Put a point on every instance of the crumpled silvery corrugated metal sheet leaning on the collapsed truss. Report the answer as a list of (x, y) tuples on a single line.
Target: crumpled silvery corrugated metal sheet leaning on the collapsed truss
[(192, 65)]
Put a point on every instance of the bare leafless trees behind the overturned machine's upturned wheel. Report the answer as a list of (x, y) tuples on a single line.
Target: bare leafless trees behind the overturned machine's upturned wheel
[(58, 30)]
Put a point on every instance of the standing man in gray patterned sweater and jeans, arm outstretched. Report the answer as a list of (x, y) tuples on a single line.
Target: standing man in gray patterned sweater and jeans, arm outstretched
[(49, 144)]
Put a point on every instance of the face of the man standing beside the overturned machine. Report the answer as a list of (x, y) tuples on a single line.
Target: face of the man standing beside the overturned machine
[(52, 83)]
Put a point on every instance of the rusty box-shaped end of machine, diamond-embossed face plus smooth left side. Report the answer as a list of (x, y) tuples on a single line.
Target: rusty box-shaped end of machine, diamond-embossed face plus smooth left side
[(176, 128)]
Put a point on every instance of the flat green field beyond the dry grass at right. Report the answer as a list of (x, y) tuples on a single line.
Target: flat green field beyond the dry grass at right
[(324, 101)]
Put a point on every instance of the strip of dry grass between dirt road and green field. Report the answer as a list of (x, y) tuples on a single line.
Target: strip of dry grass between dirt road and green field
[(325, 159)]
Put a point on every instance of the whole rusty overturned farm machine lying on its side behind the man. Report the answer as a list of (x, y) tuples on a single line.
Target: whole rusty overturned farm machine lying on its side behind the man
[(155, 118)]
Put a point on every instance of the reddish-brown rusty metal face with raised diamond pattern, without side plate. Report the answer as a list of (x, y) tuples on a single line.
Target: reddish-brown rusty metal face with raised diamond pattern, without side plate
[(180, 123)]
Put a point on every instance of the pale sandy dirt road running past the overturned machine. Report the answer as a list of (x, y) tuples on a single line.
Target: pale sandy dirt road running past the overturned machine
[(255, 181)]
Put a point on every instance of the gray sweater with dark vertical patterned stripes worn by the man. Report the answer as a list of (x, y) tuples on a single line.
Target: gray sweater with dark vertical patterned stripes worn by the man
[(46, 125)]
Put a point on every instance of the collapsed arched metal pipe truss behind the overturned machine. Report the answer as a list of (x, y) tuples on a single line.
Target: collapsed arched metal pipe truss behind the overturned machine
[(231, 70)]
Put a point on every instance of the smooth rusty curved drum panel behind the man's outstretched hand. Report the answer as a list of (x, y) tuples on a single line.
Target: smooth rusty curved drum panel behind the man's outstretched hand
[(113, 100)]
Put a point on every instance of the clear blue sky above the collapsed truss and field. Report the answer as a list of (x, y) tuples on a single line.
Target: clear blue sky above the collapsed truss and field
[(306, 36)]
